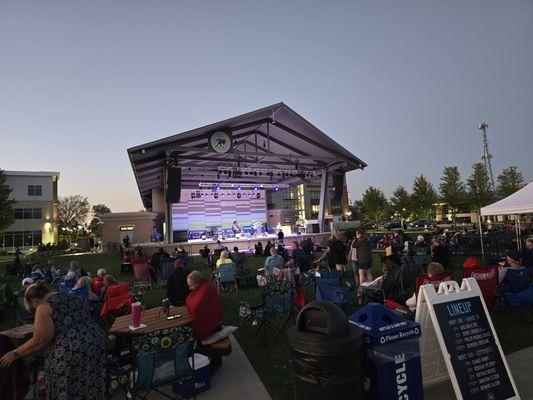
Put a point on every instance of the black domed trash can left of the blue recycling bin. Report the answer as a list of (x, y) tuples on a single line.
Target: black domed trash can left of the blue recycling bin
[(325, 354)]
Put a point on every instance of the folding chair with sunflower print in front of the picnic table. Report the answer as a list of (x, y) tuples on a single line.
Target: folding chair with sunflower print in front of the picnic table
[(161, 358)]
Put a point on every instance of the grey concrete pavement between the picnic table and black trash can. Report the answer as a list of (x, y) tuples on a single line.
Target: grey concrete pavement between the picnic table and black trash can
[(236, 380)]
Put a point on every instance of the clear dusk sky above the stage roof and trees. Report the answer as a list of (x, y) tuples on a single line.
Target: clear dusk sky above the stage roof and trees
[(401, 84)]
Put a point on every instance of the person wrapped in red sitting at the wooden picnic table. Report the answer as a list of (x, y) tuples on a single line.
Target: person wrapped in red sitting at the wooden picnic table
[(204, 305)]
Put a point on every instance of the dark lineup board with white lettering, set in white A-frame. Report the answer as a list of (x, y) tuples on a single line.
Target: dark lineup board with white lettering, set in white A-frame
[(474, 354)]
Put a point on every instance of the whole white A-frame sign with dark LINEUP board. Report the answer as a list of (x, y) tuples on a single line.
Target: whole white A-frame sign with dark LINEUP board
[(459, 341)]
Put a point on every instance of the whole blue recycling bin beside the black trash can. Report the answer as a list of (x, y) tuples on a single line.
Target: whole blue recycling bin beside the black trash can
[(390, 354)]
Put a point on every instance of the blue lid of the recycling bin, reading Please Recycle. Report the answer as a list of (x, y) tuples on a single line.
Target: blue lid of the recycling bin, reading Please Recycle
[(382, 326)]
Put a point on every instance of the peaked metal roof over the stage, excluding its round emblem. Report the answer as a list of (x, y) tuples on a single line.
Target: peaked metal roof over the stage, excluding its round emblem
[(272, 145)]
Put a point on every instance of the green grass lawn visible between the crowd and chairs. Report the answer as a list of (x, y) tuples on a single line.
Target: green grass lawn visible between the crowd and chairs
[(272, 363)]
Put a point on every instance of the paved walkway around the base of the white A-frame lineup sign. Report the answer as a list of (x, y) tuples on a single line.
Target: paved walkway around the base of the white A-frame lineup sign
[(520, 365)]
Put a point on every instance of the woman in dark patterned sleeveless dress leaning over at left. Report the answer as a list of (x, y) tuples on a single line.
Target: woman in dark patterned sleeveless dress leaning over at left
[(73, 344)]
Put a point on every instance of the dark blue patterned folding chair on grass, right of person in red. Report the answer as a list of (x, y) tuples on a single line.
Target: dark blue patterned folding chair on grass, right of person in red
[(277, 302)]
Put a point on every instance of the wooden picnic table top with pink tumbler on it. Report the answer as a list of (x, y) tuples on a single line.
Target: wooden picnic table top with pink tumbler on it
[(152, 320)]
